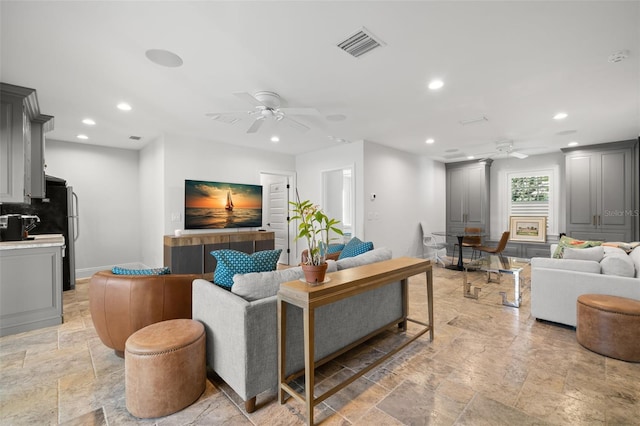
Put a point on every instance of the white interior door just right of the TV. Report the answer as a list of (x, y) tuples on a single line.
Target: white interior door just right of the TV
[(276, 203)]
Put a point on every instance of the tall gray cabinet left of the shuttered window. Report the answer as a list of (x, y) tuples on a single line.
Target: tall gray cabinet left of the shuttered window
[(468, 195)]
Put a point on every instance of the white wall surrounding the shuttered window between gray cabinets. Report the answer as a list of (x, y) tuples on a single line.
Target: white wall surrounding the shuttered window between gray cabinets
[(499, 190)]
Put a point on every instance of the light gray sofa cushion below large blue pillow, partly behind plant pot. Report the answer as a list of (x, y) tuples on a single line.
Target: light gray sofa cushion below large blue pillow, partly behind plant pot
[(258, 285)]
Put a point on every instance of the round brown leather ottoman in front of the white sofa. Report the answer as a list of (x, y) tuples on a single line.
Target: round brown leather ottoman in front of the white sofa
[(609, 325)]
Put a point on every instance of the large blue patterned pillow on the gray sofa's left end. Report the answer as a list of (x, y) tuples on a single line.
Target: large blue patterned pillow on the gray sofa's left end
[(231, 262)]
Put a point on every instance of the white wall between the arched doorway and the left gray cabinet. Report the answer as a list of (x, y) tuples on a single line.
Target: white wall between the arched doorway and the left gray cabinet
[(408, 190)]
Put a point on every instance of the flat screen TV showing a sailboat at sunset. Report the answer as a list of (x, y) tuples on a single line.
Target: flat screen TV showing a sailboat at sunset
[(220, 205)]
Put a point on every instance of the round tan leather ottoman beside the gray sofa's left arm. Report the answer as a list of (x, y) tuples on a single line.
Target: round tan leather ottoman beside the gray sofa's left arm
[(165, 367)]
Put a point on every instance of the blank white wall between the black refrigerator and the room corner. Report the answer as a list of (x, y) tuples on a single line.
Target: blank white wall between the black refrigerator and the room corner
[(106, 181)]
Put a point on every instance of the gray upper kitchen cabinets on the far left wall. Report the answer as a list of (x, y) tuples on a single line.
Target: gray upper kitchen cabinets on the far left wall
[(22, 130)]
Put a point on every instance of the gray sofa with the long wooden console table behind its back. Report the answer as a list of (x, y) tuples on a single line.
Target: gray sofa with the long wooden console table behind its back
[(241, 324)]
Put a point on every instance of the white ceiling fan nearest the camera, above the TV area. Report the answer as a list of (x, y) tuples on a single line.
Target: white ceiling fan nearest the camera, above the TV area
[(266, 107)]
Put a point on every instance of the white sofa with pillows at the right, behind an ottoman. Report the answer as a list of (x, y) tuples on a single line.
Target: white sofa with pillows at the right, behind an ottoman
[(557, 283)]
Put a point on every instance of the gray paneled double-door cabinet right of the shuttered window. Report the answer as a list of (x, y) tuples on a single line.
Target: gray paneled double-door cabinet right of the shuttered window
[(602, 185)]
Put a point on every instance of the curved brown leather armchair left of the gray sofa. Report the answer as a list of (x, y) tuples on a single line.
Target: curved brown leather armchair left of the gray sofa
[(120, 305)]
